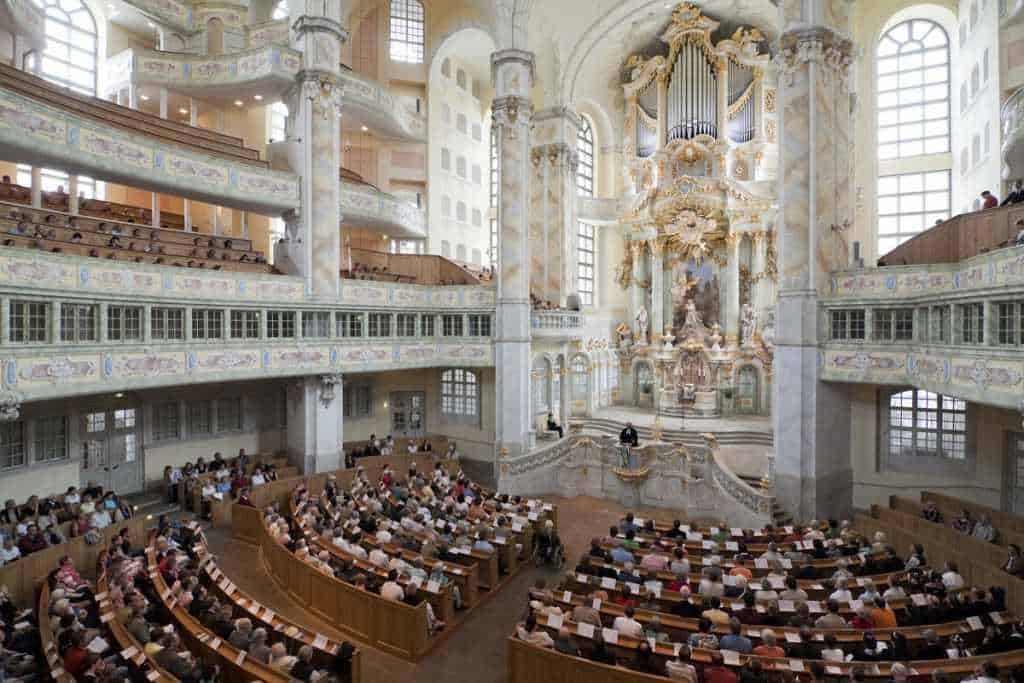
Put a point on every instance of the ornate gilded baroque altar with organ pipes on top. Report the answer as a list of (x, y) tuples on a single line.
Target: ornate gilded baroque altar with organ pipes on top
[(700, 265)]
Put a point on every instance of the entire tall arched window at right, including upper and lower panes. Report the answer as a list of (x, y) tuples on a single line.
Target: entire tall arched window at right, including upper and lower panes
[(914, 121)]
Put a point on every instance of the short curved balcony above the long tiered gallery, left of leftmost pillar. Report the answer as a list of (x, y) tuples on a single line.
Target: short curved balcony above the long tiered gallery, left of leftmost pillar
[(268, 70)]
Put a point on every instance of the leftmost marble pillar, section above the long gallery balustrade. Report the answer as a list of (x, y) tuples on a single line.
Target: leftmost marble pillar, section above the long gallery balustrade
[(315, 101)]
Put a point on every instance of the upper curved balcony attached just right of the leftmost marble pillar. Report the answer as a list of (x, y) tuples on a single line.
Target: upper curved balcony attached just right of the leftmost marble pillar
[(373, 104)]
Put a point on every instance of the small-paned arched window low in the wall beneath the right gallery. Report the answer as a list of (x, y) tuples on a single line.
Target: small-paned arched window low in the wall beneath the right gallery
[(927, 424)]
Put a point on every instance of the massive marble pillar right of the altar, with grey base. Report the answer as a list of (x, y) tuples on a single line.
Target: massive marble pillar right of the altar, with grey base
[(814, 475)]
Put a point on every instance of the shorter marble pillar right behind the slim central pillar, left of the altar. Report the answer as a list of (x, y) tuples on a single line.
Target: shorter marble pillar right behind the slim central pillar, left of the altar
[(552, 205)]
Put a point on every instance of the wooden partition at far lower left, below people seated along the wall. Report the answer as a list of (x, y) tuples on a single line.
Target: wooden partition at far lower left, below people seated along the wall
[(24, 576)]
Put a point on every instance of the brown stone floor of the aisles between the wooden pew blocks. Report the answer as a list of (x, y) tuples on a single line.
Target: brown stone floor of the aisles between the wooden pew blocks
[(476, 649)]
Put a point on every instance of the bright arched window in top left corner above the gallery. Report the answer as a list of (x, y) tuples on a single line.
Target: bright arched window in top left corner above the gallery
[(70, 59)]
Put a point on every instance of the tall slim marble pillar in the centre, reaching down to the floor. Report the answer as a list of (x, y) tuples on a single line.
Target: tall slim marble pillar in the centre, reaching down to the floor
[(513, 74)]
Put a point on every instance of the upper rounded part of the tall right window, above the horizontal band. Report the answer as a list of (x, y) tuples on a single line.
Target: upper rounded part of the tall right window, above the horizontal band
[(914, 91)]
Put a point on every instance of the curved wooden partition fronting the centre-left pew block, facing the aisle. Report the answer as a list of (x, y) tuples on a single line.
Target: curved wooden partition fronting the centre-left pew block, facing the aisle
[(393, 627)]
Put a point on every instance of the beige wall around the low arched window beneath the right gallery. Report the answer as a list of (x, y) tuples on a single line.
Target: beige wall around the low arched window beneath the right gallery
[(873, 484)]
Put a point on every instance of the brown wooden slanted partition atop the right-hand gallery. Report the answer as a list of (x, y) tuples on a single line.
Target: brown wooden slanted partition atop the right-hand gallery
[(960, 238)]
